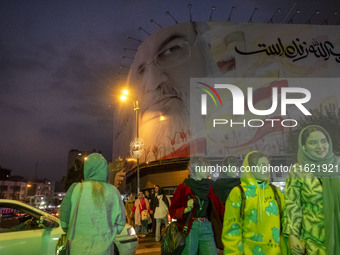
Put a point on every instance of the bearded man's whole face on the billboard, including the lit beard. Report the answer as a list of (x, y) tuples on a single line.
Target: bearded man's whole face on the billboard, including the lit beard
[(160, 74)]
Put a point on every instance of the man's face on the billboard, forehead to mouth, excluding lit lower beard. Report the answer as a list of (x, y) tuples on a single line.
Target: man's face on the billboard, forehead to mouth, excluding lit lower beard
[(162, 69)]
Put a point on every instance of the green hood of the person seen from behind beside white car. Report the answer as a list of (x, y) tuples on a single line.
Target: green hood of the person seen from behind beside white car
[(96, 168)]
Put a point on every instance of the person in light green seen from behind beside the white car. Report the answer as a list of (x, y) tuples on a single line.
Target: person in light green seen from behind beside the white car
[(100, 215)]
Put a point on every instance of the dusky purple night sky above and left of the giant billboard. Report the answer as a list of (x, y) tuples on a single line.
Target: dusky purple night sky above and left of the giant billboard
[(60, 68)]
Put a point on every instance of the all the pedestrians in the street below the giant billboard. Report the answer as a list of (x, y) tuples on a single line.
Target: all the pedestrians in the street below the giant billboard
[(243, 214)]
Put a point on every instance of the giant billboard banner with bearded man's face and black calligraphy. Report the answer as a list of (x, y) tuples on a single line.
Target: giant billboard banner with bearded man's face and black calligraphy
[(175, 63)]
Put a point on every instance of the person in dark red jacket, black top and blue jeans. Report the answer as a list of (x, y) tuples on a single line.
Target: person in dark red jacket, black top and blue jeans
[(197, 196)]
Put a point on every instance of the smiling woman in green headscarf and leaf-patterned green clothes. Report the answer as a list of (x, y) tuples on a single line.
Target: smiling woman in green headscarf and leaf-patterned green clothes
[(312, 195)]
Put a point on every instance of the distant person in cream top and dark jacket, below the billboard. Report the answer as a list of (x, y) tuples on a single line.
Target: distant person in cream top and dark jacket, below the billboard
[(159, 208)]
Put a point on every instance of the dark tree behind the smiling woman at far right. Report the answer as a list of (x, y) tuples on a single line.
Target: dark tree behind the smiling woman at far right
[(326, 117)]
